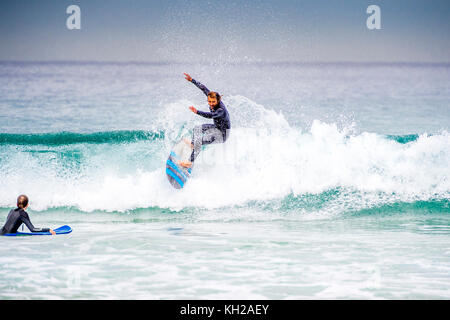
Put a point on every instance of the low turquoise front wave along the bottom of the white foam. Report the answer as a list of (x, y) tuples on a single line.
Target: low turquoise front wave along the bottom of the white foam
[(307, 206)]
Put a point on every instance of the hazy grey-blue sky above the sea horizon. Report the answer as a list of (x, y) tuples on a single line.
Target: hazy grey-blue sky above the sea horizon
[(225, 31)]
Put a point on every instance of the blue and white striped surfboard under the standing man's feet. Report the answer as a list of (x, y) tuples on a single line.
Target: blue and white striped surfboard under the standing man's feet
[(177, 174)]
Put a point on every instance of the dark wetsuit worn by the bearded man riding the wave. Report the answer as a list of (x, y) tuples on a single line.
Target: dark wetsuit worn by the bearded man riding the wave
[(210, 133)]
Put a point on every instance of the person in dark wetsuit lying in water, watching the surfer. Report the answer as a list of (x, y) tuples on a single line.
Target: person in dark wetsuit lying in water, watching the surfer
[(18, 216)]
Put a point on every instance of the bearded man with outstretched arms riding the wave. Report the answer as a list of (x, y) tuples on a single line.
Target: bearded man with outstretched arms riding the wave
[(216, 132)]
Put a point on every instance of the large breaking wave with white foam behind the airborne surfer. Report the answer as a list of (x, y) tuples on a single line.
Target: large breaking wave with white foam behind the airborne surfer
[(266, 163)]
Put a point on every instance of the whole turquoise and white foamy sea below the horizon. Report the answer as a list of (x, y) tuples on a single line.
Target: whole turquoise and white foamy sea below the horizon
[(334, 183)]
